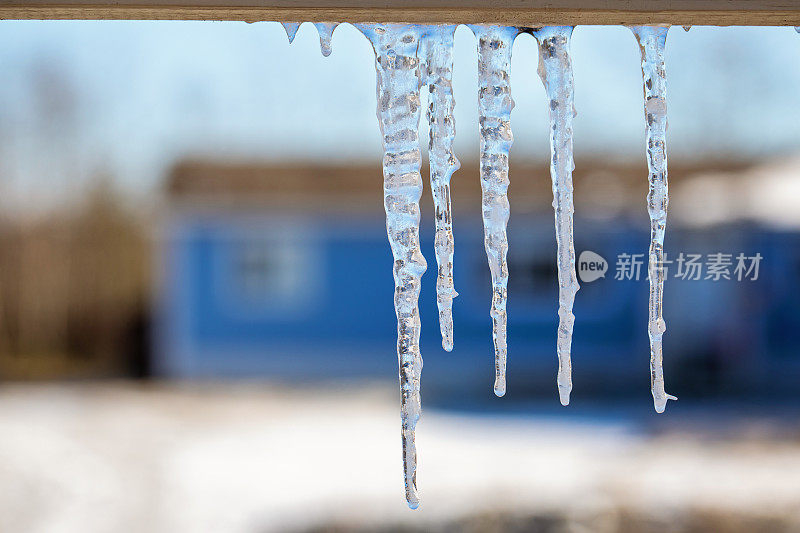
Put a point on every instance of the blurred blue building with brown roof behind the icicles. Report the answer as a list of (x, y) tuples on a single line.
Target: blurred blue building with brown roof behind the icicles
[(286, 272)]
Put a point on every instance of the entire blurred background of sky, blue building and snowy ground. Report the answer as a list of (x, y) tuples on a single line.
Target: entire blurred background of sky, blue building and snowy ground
[(196, 320)]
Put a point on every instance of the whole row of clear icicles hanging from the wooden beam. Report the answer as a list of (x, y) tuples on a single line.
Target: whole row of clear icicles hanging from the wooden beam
[(409, 58)]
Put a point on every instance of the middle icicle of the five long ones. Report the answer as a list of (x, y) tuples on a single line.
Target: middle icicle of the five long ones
[(494, 109)]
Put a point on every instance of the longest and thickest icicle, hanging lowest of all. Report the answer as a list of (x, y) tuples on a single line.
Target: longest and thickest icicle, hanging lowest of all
[(398, 82)]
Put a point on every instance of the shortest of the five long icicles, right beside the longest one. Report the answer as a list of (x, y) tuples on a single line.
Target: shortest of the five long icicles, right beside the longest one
[(437, 54)]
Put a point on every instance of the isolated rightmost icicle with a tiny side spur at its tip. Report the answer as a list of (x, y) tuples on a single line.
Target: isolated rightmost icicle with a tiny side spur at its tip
[(652, 40)]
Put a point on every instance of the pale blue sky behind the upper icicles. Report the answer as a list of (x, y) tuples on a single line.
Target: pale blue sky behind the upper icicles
[(148, 93)]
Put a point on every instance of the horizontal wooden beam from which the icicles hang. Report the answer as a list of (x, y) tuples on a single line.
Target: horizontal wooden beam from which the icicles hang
[(507, 12)]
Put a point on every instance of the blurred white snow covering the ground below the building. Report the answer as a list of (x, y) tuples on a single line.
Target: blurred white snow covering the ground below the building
[(255, 458)]
